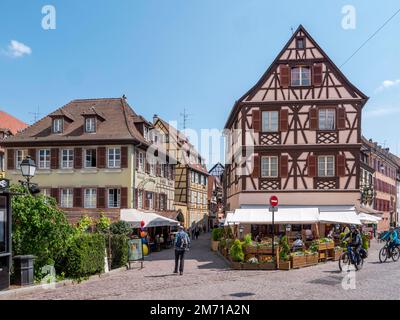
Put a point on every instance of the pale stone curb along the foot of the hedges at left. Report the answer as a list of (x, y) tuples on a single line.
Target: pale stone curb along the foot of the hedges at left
[(20, 292)]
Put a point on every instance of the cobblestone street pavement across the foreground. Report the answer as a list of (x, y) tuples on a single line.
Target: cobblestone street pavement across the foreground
[(207, 277)]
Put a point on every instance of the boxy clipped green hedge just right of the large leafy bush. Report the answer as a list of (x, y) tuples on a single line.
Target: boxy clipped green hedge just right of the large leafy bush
[(85, 255)]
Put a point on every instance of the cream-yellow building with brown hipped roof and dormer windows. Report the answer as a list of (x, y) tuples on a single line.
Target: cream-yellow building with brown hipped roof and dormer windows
[(91, 157)]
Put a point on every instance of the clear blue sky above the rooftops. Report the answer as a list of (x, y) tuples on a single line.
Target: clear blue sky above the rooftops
[(201, 55)]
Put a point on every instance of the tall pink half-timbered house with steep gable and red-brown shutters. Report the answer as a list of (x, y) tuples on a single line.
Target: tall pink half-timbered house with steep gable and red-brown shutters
[(303, 119)]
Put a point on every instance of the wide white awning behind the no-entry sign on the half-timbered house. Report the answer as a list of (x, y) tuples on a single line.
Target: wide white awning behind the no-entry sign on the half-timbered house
[(282, 216)]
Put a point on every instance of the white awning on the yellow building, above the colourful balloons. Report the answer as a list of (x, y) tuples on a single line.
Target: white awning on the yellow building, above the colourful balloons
[(151, 219)]
